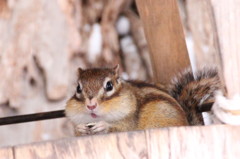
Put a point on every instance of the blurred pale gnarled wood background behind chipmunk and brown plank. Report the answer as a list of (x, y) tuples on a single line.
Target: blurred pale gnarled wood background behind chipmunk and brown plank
[(42, 43)]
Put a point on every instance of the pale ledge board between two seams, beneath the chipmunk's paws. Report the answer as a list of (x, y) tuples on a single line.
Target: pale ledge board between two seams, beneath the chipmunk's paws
[(122, 145)]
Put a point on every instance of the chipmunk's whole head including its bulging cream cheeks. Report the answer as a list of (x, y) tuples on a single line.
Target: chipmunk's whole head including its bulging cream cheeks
[(97, 95)]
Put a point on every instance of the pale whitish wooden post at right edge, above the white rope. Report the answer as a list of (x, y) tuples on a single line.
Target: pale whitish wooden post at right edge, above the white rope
[(227, 14)]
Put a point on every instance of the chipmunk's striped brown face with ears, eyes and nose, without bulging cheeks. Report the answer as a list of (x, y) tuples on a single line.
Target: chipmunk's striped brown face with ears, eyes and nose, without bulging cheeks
[(97, 84)]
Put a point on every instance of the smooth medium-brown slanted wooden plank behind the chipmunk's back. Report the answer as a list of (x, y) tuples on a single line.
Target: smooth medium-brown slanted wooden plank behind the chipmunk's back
[(165, 37)]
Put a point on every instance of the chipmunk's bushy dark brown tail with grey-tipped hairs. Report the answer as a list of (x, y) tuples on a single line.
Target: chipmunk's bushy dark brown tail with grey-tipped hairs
[(193, 91)]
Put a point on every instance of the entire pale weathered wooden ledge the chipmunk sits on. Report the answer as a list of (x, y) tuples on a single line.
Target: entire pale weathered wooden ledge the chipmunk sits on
[(210, 142)]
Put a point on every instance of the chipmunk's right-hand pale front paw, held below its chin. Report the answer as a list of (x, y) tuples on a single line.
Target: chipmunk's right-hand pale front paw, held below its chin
[(100, 127)]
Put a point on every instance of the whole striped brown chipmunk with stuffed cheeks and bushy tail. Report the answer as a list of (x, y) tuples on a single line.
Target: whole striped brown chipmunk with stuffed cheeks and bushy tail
[(104, 102)]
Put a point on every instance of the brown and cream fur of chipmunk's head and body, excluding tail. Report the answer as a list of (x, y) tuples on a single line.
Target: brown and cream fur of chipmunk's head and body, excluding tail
[(132, 105)]
